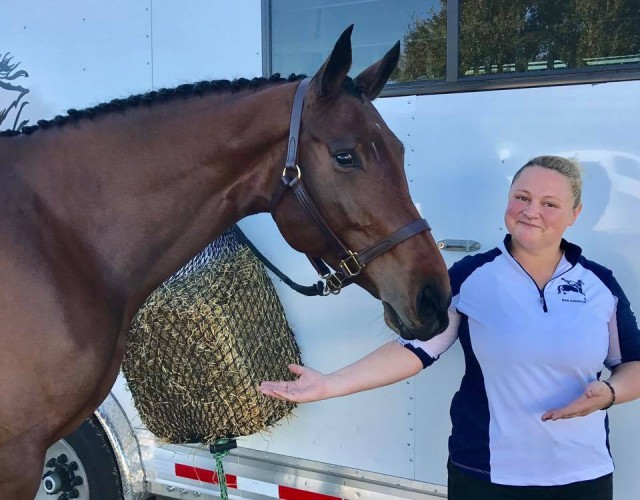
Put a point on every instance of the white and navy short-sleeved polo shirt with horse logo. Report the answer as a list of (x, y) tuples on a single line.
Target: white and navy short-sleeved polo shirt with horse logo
[(527, 351)]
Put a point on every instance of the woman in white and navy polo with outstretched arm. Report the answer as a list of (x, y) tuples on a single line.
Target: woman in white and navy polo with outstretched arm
[(537, 322)]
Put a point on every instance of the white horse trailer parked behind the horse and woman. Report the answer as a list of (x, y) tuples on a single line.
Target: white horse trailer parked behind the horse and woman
[(462, 146)]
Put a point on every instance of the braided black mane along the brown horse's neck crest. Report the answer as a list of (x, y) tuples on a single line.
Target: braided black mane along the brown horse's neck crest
[(165, 95)]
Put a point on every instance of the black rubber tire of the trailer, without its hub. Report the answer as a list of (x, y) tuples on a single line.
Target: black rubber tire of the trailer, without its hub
[(97, 462)]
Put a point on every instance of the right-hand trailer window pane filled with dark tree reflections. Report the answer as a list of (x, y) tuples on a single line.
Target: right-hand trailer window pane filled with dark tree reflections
[(523, 36)]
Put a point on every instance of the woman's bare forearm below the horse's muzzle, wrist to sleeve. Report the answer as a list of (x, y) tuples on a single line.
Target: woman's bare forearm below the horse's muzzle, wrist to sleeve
[(386, 365)]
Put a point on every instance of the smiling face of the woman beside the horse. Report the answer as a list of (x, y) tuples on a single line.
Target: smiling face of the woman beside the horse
[(540, 209)]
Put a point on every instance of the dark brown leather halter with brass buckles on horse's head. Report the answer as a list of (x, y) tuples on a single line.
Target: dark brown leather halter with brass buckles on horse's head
[(351, 263)]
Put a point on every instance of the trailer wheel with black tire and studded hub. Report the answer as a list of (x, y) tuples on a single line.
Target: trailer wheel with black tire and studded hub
[(81, 466)]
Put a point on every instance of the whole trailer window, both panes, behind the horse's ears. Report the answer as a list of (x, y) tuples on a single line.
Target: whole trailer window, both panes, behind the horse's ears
[(462, 45)]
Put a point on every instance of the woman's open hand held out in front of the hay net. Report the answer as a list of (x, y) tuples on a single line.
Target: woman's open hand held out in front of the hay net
[(310, 386)]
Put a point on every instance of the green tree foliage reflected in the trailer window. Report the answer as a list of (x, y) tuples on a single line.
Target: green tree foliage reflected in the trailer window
[(498, 36)]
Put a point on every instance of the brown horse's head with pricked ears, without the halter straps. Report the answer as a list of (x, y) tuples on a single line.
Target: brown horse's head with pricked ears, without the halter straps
[(353, 168)]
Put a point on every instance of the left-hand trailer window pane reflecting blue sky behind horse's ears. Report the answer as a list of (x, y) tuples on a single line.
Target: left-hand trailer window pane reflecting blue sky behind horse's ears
[(303, 33)]
